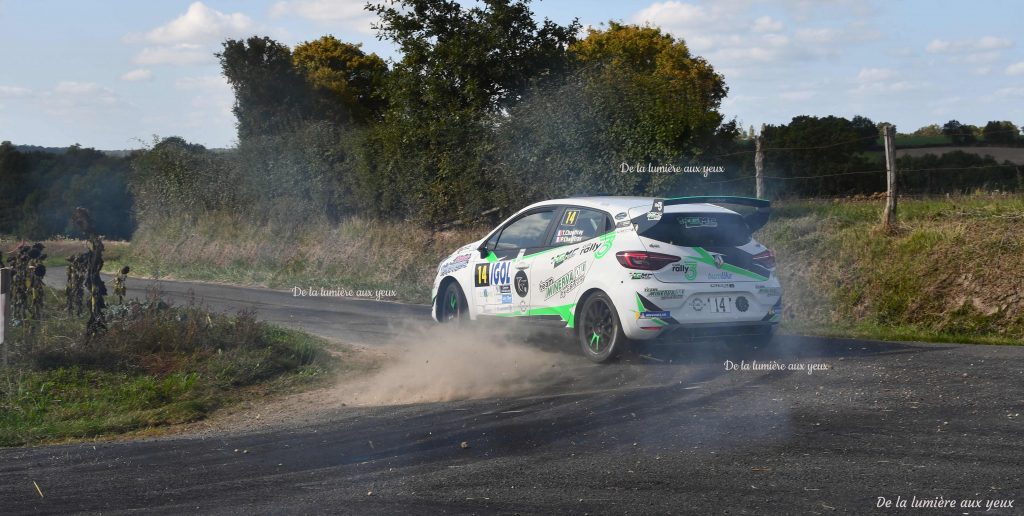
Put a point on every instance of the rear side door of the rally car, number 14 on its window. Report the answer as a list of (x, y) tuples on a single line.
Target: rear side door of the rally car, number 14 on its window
[(561, 271)]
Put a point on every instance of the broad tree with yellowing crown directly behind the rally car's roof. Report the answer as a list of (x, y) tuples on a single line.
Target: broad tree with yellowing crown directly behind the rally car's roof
[(637, 97)]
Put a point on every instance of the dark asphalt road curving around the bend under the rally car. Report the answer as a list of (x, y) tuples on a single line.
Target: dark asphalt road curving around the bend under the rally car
[(667, 431)]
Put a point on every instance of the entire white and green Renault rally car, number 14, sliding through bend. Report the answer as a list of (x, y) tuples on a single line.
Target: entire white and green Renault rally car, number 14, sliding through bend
[(616, 269)]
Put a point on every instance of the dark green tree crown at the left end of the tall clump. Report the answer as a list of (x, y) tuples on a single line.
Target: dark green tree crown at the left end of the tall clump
[(271, 97)]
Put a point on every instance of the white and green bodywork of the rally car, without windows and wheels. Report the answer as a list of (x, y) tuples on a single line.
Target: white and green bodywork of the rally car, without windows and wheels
[(552, 281)]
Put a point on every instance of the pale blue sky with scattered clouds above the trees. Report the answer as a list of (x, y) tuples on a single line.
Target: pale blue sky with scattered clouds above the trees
[(116, 74)]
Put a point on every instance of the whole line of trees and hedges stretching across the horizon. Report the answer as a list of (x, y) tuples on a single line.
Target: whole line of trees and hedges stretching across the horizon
[(486, 108)]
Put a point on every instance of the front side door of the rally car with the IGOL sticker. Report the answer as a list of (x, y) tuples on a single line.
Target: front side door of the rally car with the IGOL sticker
[(502, 282)]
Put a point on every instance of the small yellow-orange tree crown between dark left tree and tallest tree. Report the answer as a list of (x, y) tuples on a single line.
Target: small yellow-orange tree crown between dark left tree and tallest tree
[(348, 84)]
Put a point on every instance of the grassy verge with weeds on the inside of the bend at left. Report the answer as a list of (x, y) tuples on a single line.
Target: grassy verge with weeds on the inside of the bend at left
[(156, 367)]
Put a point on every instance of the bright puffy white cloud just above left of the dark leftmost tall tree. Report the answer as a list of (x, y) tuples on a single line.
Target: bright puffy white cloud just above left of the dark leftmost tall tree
[(199, 25)]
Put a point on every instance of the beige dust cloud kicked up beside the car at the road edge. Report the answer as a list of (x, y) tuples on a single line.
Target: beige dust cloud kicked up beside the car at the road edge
[(435, 363)]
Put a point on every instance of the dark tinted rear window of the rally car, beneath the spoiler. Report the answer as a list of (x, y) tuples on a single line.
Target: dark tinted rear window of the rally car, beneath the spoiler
[(700, 230)]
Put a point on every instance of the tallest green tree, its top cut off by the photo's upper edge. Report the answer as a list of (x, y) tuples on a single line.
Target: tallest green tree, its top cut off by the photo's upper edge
[(460, 68)]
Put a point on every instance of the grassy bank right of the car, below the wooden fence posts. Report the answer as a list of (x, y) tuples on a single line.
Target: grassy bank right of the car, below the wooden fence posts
[(952, 272)]
